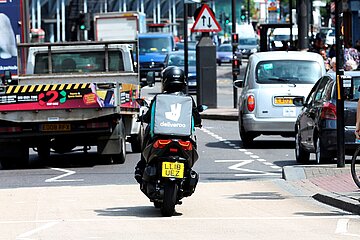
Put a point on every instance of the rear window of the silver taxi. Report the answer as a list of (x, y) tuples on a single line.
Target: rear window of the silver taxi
[(288, 71)]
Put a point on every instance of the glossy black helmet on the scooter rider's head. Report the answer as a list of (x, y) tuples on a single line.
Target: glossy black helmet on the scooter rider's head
[(173, 79)]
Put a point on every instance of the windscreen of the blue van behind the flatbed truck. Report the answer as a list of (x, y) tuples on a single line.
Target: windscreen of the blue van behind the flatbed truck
[(156, 44)]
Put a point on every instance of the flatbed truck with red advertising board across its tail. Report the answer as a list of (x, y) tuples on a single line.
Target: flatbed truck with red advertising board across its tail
[(52, 106)]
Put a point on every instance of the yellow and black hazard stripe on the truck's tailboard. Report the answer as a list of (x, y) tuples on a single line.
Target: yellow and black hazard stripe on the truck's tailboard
[(45, 87)]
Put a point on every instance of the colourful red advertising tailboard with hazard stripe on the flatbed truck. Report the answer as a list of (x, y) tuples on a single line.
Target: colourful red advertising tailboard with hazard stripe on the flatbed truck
[(68, 96)]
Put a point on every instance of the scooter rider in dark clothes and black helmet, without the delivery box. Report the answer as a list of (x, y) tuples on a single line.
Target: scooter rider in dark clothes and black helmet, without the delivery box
[(172, 82)]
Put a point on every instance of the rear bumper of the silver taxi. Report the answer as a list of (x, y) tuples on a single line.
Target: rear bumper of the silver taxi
[(268, 125)]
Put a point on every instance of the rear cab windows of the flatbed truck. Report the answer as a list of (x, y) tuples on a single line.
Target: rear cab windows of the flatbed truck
[(78, 62)]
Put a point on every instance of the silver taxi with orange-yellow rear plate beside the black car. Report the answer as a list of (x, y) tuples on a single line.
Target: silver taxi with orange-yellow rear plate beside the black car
[(272, 80)]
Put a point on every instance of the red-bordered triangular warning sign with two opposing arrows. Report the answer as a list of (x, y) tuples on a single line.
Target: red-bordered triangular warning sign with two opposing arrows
[(206, 21)]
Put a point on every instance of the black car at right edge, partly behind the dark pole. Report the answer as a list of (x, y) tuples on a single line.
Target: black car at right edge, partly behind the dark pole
[(315, 127)]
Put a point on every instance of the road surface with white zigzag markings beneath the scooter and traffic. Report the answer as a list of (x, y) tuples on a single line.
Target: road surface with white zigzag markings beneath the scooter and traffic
[(240, 196)]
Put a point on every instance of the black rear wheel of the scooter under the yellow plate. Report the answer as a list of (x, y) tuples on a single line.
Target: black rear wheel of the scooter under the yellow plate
[(170, 192)]
